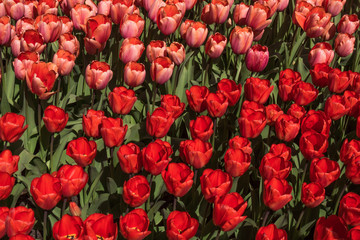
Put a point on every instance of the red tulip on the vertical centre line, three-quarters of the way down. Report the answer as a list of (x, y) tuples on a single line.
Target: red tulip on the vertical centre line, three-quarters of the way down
[(178, 179)]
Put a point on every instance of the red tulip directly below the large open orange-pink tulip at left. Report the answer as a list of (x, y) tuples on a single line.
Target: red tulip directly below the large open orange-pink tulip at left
[(55, 118)]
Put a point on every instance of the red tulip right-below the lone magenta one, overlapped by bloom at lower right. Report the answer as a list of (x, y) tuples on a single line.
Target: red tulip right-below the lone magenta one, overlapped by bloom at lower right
[(287, 80)]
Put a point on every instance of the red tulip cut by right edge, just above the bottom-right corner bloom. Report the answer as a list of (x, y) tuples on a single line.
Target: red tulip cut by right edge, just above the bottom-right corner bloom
[(349, 209)]
